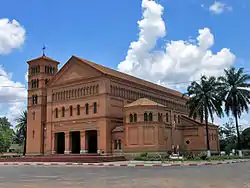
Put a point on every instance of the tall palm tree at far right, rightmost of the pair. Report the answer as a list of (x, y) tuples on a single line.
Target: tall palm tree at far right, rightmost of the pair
[(236, 95)]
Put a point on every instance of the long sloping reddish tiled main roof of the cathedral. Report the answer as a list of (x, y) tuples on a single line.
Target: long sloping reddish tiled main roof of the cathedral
[(133, 79)]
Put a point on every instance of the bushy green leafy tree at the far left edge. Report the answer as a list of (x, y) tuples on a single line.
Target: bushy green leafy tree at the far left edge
[(6, 134)]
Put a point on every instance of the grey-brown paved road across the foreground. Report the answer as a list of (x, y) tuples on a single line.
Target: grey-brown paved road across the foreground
[(221, 176)]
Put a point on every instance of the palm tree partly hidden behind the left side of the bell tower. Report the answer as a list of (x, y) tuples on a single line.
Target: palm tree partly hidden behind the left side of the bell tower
[(21, 129)]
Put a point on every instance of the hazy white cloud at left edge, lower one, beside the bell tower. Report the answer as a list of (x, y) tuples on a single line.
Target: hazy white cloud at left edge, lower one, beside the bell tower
[(13, 97)]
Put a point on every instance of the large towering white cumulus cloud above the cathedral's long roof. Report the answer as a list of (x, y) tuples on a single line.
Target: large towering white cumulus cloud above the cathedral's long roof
[(180, 61)]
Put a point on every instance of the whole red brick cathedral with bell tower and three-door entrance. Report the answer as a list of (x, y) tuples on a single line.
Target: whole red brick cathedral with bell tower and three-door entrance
[(88, 108)]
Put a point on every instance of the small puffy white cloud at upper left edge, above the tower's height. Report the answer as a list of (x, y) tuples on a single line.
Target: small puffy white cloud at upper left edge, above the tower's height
[(12, 35)]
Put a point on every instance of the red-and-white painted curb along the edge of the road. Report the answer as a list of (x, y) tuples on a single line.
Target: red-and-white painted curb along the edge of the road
[(122, 164)]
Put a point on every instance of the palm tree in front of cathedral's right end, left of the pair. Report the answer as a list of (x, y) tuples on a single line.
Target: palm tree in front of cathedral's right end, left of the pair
[(204, 101)]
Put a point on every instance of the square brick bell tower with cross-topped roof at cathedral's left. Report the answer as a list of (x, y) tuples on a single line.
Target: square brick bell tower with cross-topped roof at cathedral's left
[(40, 71)]
